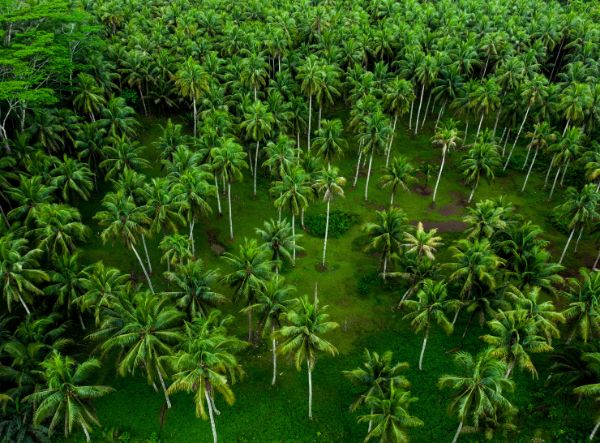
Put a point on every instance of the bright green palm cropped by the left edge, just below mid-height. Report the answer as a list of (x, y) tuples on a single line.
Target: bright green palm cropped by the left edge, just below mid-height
[(19, 271)]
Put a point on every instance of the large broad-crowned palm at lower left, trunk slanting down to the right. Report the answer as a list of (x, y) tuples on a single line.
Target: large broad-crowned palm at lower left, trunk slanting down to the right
[(143, 329)]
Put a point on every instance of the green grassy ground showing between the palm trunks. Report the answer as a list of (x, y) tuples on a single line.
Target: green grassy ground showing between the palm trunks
[(262, 413)]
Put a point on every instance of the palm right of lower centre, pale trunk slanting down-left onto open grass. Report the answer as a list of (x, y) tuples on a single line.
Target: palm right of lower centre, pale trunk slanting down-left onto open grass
[(431, 306)]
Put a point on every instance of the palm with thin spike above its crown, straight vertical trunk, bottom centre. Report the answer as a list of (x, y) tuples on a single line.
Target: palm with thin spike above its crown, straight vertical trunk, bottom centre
[(303, 336)]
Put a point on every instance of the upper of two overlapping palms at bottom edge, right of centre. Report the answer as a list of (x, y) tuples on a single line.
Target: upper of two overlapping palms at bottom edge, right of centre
[(376, 374)]
